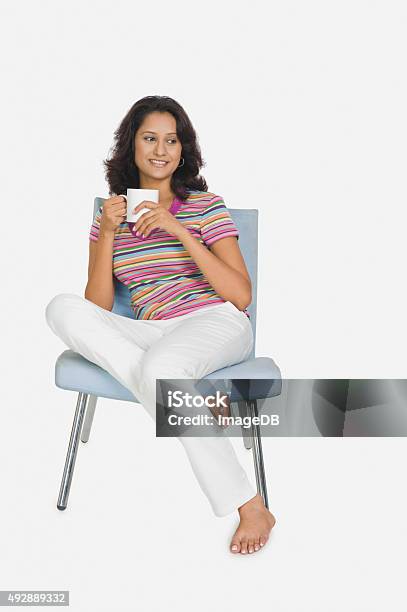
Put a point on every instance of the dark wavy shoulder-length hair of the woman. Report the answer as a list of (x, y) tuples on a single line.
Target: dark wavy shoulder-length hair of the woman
[(120, 170)]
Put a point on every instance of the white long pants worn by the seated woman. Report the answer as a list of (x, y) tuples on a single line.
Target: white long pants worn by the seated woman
[(137, 352)]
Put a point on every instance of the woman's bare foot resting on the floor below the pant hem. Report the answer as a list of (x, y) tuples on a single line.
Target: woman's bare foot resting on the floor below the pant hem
[(256, 522)]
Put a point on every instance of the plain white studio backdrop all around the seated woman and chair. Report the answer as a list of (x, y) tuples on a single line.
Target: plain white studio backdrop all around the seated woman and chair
[(300, 112)]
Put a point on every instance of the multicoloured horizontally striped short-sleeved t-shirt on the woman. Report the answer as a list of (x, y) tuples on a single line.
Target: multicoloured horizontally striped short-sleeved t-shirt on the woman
[(162, 278)]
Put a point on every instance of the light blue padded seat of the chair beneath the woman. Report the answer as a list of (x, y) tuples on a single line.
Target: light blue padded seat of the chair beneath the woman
[(257, 378)]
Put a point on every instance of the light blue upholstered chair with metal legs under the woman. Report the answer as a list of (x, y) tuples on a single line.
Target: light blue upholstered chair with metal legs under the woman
[(253, 379)]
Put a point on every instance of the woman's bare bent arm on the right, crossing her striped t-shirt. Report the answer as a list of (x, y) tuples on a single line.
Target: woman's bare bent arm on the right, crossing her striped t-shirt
[(223, 266)]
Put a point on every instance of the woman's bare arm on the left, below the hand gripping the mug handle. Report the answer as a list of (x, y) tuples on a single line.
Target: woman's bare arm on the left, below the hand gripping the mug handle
[(100, 287)]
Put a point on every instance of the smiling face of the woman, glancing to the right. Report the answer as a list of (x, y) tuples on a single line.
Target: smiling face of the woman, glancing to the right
[(156, 139)]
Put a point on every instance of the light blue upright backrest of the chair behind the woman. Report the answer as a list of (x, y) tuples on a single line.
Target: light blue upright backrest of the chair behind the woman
[(246, 221)]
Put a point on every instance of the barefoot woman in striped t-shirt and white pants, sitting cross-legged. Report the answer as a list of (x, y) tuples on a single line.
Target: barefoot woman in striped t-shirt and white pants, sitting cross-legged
[(189, 288)]
